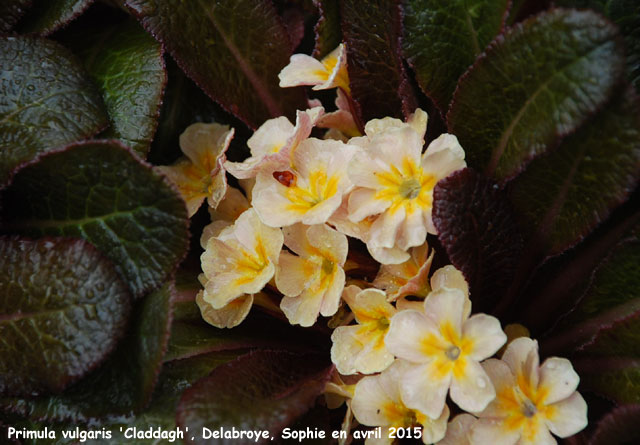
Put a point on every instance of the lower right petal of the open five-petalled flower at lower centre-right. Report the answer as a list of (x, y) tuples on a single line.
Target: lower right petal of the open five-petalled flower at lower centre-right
[(473, 390)]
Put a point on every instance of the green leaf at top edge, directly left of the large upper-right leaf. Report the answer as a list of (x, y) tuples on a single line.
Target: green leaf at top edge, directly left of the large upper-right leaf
[(442, 38)]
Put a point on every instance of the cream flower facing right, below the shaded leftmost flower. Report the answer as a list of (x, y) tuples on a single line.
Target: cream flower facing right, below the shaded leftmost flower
[(240, 260)]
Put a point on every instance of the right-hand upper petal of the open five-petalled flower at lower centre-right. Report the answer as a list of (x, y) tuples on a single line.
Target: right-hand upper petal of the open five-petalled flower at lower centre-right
[(485, 333)]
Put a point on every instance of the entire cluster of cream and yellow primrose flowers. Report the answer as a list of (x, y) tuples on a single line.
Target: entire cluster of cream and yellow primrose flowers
[(408, 339)]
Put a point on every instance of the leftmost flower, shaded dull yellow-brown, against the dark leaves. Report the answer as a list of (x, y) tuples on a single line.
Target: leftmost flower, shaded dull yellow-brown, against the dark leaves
[(200, 174)]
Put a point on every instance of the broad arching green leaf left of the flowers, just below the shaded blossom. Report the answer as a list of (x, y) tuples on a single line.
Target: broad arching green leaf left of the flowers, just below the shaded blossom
[(100, 191)]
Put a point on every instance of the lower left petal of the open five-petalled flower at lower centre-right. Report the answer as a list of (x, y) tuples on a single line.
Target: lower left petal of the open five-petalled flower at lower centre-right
[(421, 392)]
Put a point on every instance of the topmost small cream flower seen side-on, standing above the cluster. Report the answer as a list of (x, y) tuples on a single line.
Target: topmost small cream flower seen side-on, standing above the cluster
[(330, 72)]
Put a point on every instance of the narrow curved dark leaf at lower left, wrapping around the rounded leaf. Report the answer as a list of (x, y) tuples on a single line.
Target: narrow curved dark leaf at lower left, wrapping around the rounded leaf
[(125, 383)]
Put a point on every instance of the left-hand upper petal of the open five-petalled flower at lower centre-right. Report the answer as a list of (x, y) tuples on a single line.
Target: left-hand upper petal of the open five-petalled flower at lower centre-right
[(408, 331)]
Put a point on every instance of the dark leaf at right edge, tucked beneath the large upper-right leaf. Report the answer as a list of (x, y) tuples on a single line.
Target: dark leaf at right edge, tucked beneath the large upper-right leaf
[(564, 194)]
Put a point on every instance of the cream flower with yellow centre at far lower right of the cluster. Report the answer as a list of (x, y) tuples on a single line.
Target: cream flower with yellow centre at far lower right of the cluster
[(531, 400)]
